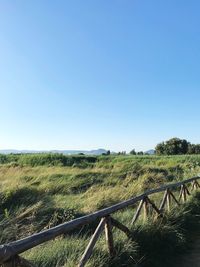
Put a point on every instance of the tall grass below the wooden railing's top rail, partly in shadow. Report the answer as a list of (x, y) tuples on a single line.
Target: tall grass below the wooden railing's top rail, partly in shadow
[(154, 243)]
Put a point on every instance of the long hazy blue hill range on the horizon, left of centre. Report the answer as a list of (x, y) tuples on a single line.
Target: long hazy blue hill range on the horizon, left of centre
[(65, 152)]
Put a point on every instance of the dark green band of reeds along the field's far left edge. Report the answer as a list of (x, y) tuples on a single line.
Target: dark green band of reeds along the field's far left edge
[(50, 159)]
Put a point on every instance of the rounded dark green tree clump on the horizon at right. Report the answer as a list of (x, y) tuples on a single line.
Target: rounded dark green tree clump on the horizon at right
[(177, 146)]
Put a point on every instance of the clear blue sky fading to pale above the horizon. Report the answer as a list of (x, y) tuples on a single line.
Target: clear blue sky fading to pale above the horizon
[(89, 74)]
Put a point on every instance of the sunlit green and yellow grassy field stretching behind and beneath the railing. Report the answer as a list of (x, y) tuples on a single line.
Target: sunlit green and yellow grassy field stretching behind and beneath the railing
[(40, 191)]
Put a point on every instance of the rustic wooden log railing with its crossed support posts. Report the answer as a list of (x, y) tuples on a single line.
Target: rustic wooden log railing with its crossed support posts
[(9, 253)]
